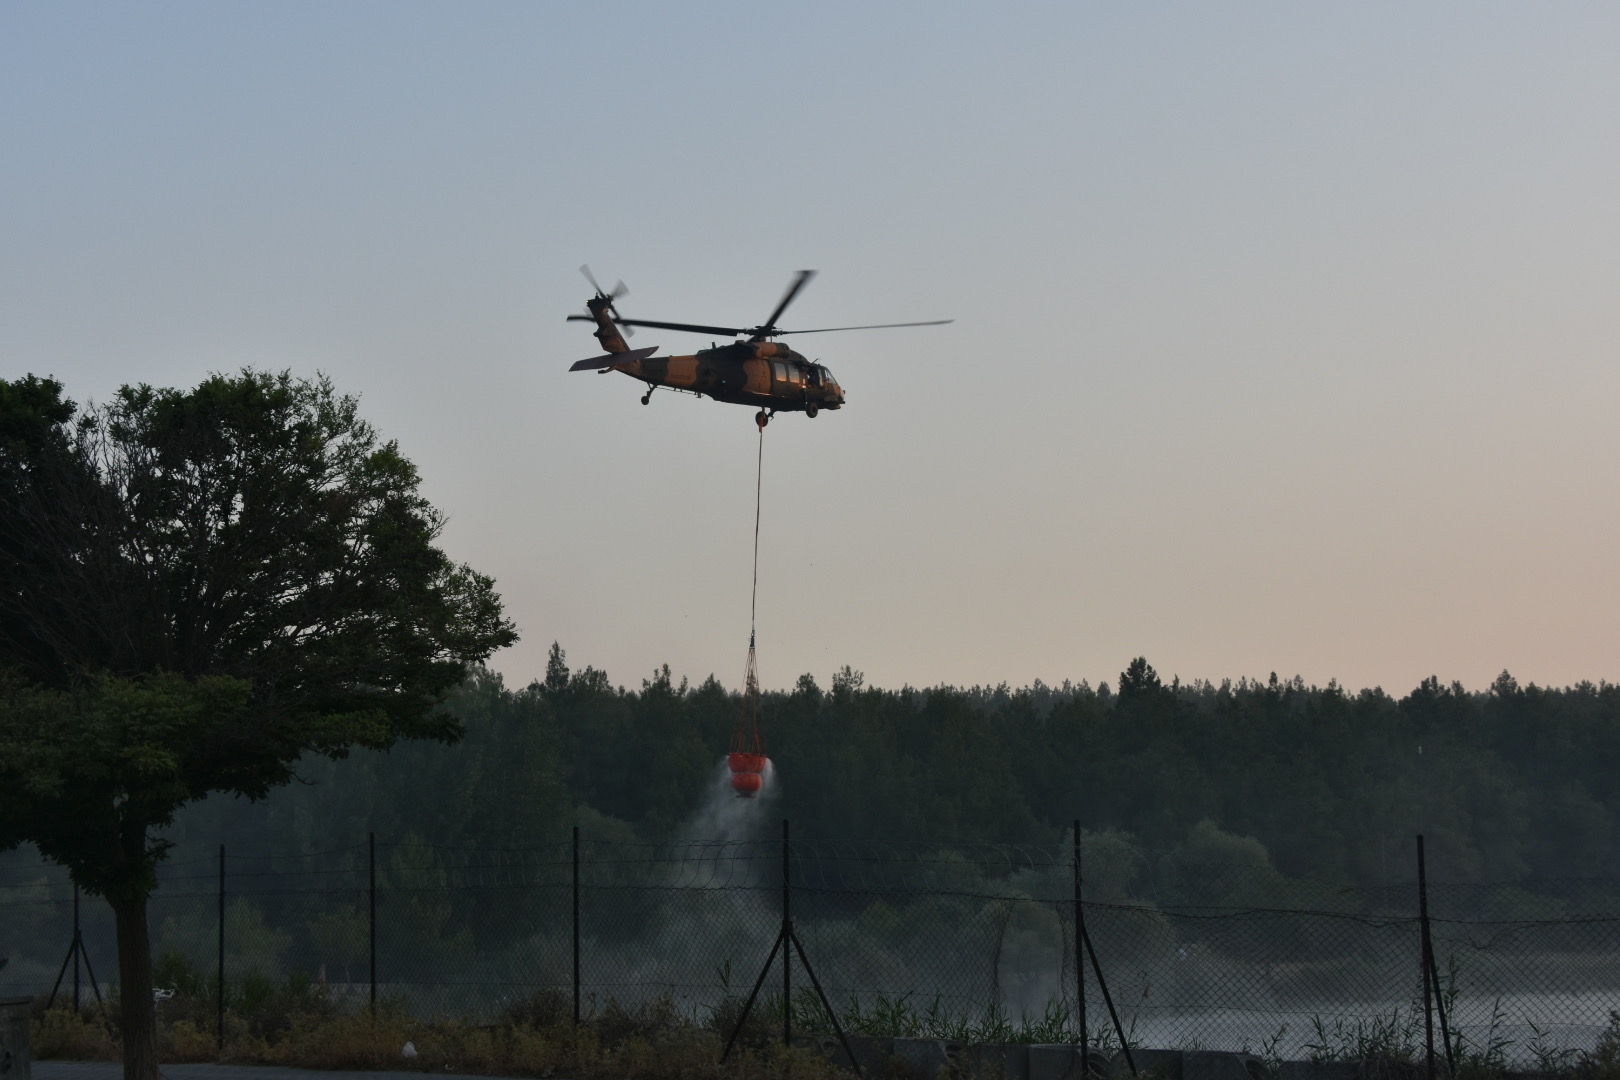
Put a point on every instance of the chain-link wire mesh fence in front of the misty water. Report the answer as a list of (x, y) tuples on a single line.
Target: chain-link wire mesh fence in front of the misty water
[(973, 942)]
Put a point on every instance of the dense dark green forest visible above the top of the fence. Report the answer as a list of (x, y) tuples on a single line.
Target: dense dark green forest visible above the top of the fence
[(1509, 784)]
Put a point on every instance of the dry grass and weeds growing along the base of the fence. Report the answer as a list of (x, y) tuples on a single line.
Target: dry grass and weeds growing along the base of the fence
[(297, 1023)]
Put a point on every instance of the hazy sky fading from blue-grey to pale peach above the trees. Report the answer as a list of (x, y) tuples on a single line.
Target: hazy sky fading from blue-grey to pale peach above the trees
[(1285, 334)]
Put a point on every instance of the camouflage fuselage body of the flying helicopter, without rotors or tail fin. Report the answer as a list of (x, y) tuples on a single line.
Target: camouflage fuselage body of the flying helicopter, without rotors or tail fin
[(767, 375)]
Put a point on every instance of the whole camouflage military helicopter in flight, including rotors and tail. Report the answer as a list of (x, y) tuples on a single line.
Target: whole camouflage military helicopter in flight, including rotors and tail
[(756, 372)]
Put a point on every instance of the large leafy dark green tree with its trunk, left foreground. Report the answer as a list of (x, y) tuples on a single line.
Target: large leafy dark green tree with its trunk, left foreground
[(198, 589)]
